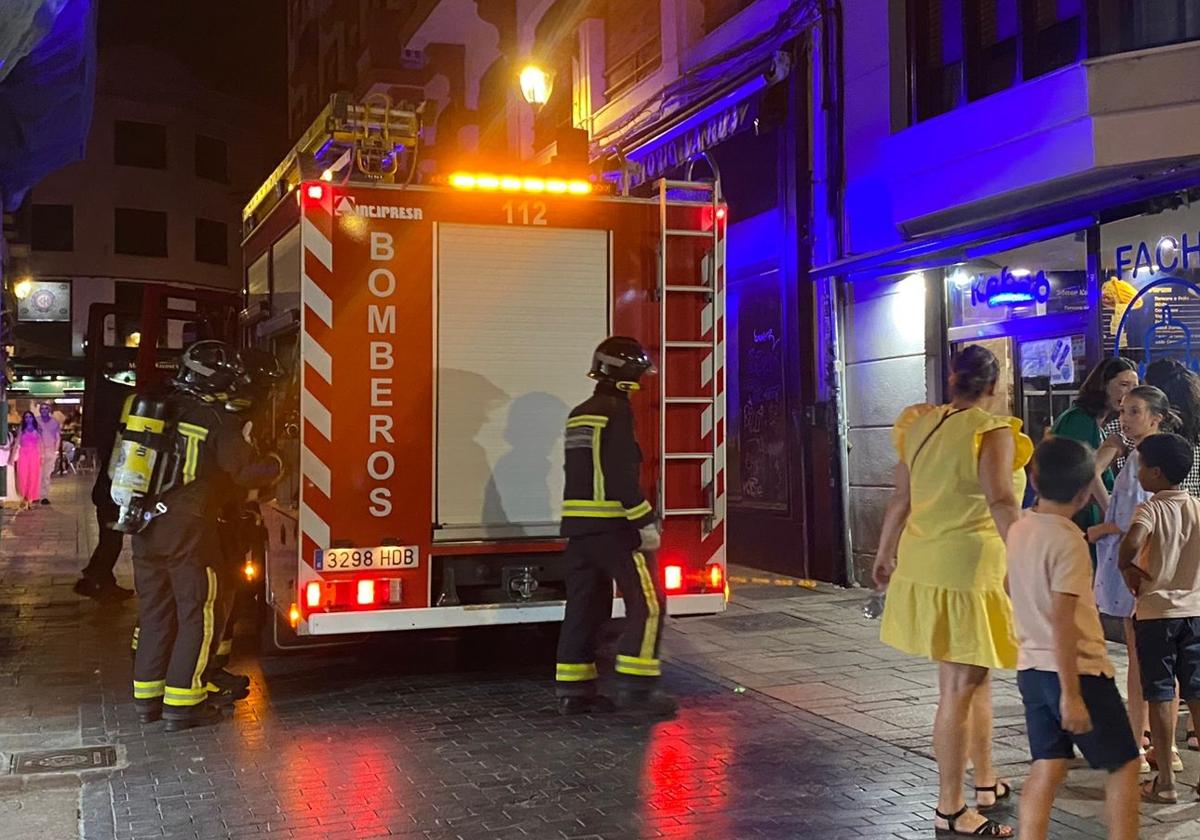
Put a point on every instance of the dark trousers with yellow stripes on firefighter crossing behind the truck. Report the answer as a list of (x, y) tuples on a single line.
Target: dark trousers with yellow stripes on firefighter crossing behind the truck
[(593, 563)]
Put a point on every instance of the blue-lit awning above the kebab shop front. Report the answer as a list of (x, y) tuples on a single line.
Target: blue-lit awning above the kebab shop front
[(1024, 225)]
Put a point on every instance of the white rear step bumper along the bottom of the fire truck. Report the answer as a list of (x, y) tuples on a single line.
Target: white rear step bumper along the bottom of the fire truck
[(385, 621)]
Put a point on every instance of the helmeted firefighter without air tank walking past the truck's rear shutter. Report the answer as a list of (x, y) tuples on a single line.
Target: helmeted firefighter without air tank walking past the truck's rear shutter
[(611, 531)]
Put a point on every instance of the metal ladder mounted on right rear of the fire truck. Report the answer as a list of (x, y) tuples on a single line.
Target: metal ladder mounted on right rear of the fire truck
[(675, 397)]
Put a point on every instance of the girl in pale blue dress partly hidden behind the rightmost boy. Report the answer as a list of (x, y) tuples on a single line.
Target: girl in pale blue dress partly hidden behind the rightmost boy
[(1144, 412)]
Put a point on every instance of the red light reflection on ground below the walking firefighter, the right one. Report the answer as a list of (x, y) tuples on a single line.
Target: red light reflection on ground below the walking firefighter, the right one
[(686, 776)]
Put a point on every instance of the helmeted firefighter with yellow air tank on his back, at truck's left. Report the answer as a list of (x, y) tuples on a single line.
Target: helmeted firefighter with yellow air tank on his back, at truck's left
[(176, 555)]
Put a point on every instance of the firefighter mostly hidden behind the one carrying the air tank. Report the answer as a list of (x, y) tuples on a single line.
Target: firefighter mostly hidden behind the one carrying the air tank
[(239, 525)]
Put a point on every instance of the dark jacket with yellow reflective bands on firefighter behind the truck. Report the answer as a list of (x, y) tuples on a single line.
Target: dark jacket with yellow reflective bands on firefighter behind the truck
[(603, 463)]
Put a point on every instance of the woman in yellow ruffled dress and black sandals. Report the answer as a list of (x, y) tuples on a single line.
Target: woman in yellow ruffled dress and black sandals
[(943, 559)]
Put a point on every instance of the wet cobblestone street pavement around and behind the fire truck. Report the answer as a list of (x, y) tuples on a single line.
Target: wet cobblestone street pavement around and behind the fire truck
[(435, 739)]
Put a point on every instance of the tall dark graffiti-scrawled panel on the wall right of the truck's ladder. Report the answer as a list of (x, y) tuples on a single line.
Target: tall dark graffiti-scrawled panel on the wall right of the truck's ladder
[(763, 404)]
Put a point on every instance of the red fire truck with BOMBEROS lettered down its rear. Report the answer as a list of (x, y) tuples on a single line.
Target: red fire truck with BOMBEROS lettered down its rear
[(436, 339)]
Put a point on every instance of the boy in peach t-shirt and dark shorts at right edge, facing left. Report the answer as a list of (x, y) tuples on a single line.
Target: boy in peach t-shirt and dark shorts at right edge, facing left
[(1161, 562)]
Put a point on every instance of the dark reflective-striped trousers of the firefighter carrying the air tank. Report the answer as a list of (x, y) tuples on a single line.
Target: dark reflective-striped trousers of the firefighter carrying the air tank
[(177, 596)]
